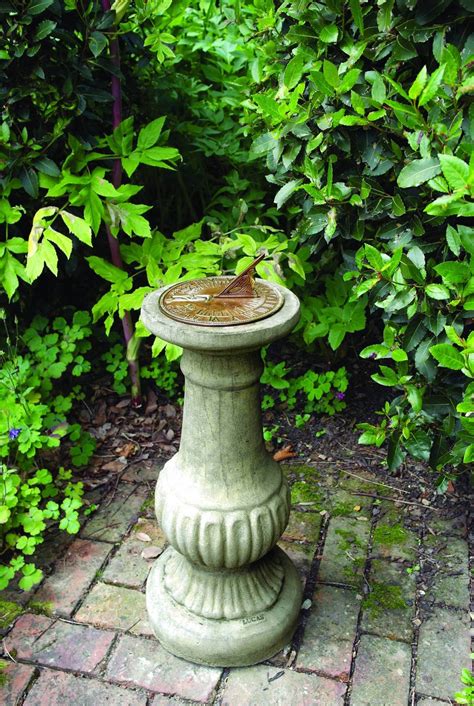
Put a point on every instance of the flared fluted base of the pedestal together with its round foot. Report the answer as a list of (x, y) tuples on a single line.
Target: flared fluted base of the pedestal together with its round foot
[(224, 642)]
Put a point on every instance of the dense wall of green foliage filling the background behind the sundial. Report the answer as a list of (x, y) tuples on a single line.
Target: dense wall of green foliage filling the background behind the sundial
[(336, 137)]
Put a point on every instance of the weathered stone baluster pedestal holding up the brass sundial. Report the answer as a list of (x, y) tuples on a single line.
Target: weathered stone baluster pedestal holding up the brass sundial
[(222, 594)]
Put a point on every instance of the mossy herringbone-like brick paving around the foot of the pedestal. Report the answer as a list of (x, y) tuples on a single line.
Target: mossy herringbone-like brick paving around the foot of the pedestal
[(373, 631)]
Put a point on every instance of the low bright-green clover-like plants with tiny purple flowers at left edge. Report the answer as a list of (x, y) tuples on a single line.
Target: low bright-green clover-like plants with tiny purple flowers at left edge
[(32, 425)]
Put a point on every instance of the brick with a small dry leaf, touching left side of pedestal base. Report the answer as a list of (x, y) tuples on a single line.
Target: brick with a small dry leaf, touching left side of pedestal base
[(128, 567)]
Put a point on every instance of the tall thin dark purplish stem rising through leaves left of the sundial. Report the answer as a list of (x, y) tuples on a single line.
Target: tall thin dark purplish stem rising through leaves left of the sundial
[(127, 322)]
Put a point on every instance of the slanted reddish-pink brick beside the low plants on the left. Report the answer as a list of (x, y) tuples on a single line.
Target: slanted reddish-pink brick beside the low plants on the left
[(73, 574)]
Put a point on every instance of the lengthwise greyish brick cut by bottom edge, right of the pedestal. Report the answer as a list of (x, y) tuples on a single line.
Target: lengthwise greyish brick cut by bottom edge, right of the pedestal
[(382, 673)]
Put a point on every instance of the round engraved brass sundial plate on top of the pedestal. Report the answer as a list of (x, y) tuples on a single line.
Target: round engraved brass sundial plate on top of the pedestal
[(195, 302)]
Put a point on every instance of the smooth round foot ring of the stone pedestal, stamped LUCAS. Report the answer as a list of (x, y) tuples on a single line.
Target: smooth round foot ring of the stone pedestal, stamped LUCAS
[(223, 643)]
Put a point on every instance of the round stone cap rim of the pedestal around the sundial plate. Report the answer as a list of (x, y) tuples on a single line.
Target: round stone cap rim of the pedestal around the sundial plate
[(239, 337)]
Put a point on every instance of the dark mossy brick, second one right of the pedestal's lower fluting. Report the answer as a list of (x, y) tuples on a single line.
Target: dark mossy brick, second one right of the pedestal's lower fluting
[(344, 551)]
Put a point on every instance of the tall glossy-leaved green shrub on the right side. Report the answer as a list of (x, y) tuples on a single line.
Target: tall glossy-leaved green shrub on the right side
[(361, 113)]
